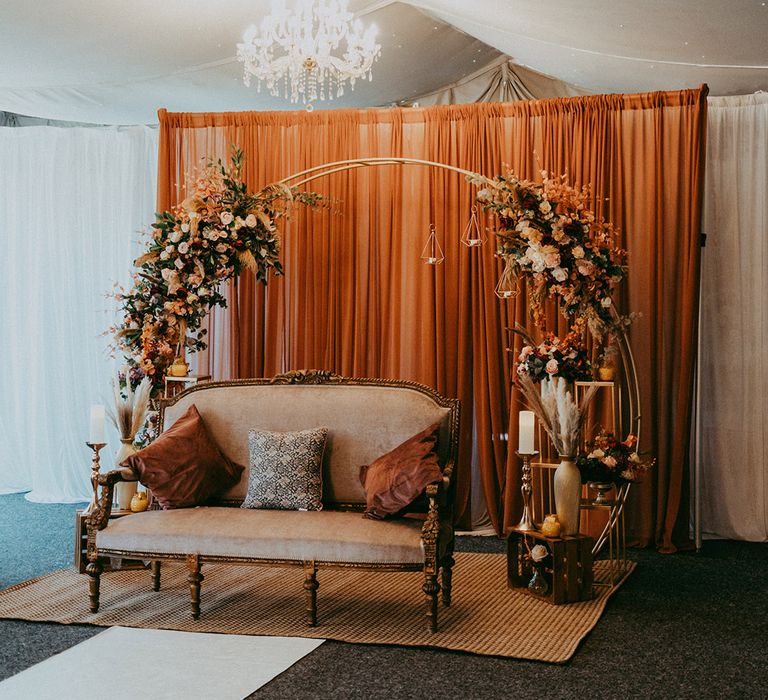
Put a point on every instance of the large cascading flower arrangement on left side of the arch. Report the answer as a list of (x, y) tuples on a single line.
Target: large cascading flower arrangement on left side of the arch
[(218, 231)]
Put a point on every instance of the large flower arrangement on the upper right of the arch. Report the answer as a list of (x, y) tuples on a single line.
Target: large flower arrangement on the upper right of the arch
[(548, 233)]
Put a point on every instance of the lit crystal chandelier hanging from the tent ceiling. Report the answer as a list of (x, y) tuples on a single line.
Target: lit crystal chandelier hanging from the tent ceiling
[(313, 50)]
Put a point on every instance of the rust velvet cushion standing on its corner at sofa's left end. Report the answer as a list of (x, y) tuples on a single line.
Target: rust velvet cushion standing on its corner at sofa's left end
[(184, 467)]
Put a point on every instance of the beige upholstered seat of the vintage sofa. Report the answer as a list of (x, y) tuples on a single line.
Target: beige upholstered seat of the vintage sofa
[(322, 536)]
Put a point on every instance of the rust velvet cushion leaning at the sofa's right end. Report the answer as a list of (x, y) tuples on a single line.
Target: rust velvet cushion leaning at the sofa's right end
[(397, 478)]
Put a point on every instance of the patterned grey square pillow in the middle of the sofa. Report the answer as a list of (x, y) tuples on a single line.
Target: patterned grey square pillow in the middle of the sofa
[(286, 470)]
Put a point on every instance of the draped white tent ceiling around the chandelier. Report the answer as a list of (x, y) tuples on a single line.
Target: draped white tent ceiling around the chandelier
[(113, 62)]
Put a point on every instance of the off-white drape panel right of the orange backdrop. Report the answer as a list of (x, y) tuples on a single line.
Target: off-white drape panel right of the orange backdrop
[(734, 390)]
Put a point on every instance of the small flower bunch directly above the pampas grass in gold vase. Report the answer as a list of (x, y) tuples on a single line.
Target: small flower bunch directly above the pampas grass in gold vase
[(553, 357)]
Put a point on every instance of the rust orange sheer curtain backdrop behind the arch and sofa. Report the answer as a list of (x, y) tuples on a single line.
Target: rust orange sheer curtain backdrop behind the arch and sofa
[(356, 298)]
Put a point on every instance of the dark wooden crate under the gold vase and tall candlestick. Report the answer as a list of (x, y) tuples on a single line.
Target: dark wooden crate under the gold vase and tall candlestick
[(567, 569)]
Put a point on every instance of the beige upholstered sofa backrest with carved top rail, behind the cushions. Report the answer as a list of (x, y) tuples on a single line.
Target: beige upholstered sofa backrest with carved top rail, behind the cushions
[(366, 418)]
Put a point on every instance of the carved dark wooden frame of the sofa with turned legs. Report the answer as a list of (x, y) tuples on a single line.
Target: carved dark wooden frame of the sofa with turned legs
[(436, 533)]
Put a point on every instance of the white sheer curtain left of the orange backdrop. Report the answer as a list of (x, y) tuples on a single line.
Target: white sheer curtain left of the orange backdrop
[(73, 203)]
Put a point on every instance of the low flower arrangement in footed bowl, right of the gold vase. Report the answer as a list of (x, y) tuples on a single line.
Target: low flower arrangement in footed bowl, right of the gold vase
[(612, 461)]
